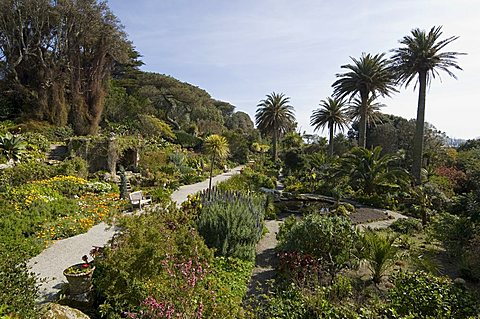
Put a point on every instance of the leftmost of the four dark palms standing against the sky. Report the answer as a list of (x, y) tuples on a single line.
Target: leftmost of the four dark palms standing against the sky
[(274, 116)]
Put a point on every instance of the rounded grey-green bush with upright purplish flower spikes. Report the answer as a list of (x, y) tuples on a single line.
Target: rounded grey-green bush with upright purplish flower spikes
[(232, 224)]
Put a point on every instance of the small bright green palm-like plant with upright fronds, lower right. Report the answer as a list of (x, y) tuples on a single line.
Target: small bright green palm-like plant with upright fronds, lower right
[(379, 251)]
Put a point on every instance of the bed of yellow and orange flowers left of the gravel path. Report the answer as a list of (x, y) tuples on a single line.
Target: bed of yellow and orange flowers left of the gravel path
[(40, 211)]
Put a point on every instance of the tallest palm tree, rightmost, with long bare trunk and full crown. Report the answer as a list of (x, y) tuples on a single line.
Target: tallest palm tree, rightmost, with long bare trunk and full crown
[(420, 58)]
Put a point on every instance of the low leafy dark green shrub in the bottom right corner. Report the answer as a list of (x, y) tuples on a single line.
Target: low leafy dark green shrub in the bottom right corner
[(420, 295)]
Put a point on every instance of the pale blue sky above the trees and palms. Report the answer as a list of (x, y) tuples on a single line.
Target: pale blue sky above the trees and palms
[(239, 51)]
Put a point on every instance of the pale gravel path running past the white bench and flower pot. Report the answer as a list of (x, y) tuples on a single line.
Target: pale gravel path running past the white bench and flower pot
[(50, 263)]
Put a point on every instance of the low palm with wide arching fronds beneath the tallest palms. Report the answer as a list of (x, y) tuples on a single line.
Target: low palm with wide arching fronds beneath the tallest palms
[(371, 172)]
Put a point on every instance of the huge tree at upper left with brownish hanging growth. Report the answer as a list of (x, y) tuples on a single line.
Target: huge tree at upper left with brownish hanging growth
[(56, 58)]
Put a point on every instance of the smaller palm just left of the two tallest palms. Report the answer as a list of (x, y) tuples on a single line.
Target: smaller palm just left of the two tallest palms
[(332, 115)]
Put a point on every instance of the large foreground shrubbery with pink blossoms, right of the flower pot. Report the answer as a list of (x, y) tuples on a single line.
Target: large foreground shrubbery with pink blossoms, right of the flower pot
[(161, 260)]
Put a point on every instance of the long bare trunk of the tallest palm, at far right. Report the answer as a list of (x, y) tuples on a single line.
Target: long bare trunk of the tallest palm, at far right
[(419, 129)]
